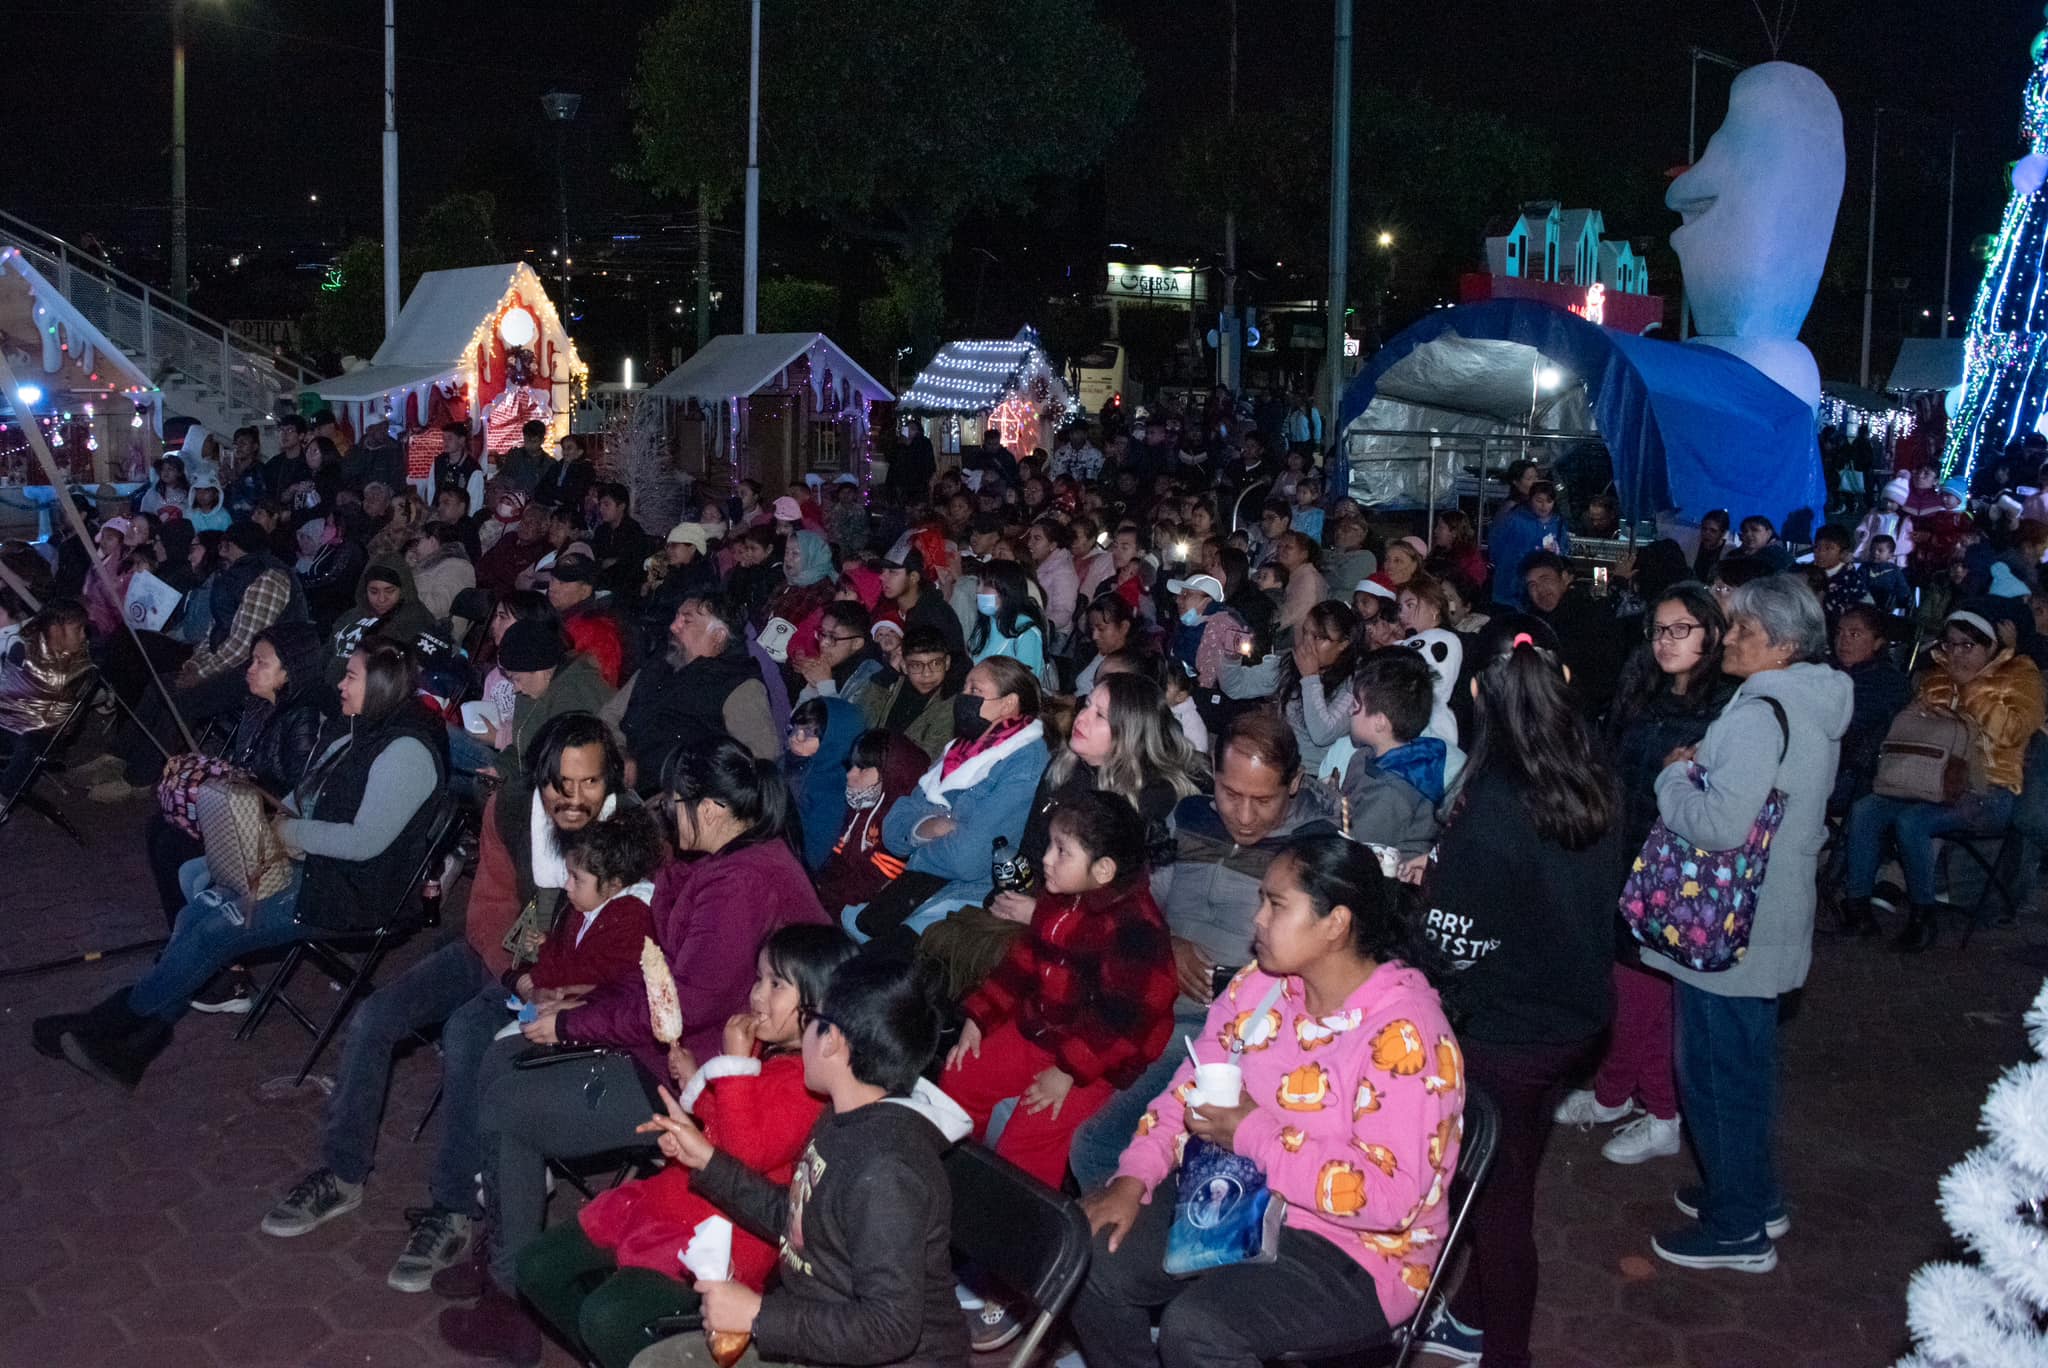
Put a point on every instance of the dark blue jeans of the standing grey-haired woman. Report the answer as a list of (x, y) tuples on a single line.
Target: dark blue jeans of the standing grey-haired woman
[(1727, 1082)]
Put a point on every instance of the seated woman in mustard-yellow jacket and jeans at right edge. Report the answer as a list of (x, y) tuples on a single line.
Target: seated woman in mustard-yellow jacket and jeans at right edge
[(2000, 693)]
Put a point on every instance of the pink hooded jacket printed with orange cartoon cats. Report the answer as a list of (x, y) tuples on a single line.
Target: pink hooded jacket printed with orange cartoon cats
[(1359, 1119)]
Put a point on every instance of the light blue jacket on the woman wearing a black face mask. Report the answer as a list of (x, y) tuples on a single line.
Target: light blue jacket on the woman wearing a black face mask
[(986, 798)]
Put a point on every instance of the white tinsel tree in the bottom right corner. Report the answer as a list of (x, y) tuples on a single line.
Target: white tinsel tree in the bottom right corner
[(1994, 1314)]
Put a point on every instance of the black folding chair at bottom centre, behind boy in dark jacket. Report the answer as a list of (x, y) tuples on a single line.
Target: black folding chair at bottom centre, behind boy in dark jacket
[(1029, 1238)]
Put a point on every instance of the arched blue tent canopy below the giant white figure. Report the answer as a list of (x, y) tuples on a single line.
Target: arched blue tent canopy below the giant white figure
[(1689, 427)]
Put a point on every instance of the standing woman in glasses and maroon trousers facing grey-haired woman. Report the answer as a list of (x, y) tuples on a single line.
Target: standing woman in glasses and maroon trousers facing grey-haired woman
[(1672, 691)]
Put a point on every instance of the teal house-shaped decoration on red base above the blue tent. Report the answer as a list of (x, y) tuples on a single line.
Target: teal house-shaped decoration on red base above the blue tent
[(1564, 257)]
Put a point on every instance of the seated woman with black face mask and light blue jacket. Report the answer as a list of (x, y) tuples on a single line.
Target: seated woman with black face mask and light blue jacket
[(980, 789)]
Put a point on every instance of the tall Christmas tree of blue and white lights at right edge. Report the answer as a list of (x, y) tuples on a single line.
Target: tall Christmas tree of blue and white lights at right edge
[(2006, 351)]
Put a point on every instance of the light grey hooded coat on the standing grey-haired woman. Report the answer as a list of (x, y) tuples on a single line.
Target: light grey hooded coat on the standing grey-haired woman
[(1742, 761)]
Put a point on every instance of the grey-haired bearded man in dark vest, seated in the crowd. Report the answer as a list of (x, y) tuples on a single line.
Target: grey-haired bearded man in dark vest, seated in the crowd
[(706, 687)]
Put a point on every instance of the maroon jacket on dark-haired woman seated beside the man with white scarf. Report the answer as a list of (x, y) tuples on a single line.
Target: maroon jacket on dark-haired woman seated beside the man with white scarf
[(710, 918)]
